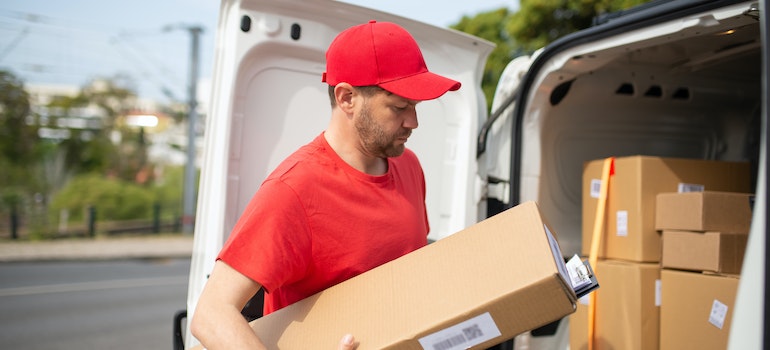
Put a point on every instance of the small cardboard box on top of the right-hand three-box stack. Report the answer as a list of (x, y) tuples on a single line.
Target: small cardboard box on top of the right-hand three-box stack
[(726, 212)]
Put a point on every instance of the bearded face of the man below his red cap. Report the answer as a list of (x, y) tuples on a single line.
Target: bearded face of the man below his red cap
[(384, 123)]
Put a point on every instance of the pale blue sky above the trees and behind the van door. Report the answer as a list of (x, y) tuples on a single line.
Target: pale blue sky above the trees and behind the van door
[(76, 41)]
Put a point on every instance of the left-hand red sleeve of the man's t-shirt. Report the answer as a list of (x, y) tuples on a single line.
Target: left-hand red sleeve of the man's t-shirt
[(270, 242)]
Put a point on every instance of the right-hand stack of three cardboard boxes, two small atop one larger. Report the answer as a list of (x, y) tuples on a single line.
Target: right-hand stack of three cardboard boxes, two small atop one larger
[(704, 239)]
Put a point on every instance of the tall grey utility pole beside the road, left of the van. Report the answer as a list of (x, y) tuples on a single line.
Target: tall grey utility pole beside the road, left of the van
[(189, 189)]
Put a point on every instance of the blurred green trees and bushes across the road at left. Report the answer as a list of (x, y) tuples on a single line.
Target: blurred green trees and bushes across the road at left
[(42, 177)]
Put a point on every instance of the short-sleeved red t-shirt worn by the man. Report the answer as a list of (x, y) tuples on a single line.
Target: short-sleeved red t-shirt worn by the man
[(316, 221)]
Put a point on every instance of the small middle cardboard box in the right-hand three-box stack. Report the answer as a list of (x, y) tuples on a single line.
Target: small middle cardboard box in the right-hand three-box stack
[(704, 251)]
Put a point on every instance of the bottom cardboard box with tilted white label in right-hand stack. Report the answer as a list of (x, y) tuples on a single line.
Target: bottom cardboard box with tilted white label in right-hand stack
[(696, 310)]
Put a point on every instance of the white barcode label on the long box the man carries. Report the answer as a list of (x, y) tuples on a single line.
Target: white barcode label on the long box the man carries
[(463, 335)]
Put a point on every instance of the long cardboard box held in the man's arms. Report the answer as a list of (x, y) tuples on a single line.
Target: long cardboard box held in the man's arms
[(473, 289)]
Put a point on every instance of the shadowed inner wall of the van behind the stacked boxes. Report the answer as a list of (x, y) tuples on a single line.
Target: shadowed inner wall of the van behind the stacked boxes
[(623, 110)]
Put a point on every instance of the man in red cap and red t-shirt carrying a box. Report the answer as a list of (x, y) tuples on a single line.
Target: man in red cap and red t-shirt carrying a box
[(350, 200)]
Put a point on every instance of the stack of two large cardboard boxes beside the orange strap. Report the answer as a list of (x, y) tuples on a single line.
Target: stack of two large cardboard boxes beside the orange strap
[(628, 304)]
